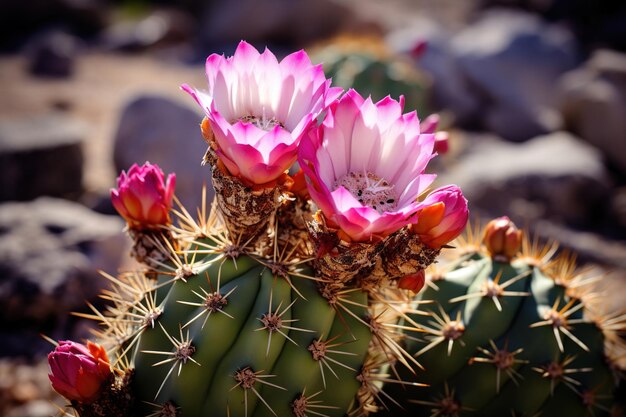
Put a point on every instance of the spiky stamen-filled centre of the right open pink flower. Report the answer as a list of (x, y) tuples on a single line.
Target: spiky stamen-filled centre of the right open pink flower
[(370, 189)]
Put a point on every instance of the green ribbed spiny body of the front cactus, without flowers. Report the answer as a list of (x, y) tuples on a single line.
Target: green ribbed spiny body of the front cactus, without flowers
[(244, 336)]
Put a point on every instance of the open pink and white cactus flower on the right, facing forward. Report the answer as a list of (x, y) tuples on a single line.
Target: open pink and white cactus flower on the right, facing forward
[(365, 166)]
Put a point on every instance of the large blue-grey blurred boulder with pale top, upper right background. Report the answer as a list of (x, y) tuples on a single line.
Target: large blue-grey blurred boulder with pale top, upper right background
[(512, 60)]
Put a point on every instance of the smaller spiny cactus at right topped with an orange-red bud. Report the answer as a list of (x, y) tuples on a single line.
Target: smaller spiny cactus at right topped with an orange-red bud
[(511, 333)]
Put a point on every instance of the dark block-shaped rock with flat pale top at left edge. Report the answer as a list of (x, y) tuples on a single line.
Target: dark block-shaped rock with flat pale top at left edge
[(41, 155)]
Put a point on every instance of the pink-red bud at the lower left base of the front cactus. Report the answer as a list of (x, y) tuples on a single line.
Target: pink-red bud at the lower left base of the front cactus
[(77, 371)]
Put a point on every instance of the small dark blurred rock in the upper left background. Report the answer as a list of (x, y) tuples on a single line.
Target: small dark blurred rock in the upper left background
[(52, 54)]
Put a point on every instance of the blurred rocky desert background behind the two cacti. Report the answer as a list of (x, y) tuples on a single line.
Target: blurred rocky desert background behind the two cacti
[(533, 93)]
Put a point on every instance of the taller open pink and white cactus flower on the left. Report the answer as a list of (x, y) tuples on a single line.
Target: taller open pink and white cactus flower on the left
[(259, 109)]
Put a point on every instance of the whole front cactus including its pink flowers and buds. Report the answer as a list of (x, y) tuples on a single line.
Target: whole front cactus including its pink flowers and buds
[(281, 297)]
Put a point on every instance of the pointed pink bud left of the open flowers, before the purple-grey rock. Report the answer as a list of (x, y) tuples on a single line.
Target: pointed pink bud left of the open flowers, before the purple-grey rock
[(143, 197)]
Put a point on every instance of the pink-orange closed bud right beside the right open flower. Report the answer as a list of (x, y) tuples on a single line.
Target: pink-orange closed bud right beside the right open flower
[(443, 218)]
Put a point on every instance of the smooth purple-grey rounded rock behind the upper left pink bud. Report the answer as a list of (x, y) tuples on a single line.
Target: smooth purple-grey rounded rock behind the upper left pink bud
[(167, 133)]
